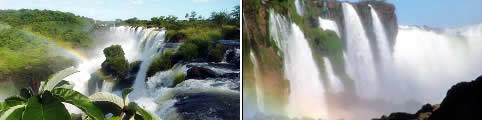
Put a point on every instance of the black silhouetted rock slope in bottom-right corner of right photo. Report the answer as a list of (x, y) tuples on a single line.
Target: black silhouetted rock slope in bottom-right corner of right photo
[(463, 102)]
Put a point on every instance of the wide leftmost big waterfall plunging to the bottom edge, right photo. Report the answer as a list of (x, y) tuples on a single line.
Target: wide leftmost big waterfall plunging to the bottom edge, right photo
[(301, 71)]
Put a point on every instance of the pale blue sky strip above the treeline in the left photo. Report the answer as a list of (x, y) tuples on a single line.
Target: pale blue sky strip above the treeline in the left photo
[(124, 9)]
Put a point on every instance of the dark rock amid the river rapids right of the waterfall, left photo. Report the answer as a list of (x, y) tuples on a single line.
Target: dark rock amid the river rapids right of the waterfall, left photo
[(200, 73)]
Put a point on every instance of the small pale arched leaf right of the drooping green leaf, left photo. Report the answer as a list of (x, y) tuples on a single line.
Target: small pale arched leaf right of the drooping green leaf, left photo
[(107, 97)]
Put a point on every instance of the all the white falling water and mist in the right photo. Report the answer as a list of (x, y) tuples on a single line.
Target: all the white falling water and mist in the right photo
[(422, 65)]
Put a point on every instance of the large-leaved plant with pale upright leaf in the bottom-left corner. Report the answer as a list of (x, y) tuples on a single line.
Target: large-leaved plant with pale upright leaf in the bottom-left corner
[(47, 104)]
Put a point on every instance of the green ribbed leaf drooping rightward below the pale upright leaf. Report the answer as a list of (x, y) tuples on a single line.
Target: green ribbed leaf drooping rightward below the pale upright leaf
[(77, 99)]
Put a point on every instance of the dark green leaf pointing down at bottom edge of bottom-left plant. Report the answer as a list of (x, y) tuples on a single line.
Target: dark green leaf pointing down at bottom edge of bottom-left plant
[(34, 110)]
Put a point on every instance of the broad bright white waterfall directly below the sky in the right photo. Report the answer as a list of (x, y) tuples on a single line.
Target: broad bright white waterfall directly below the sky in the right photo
[(432, 62)]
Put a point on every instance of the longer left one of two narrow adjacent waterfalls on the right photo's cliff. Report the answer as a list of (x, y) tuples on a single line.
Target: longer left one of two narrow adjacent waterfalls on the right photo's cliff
[(359, 58)]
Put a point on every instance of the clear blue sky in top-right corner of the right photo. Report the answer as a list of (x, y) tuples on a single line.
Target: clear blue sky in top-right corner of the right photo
[(438, 13)]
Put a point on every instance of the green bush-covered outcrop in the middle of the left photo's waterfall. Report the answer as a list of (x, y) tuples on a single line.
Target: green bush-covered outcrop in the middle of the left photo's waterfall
[(115, 63)]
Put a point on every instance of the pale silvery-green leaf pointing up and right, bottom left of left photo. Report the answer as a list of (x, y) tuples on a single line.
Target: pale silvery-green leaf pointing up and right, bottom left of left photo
[(57, 78)]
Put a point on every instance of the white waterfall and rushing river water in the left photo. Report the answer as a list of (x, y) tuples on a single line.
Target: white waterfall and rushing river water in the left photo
[(191, 99)]
